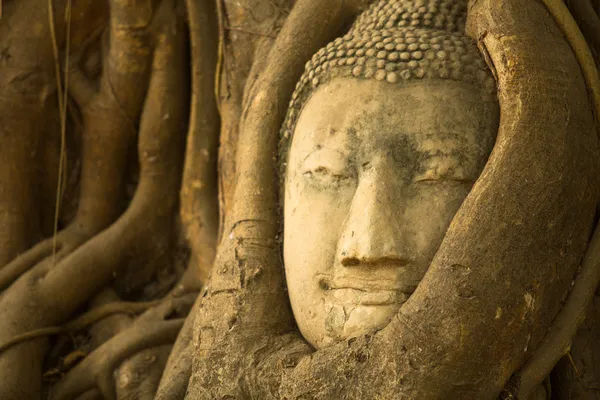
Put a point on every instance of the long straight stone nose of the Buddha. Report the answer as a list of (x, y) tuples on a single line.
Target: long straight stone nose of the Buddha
[(372, 233)]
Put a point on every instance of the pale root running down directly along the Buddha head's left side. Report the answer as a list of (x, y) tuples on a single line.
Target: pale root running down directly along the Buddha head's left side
[(254, 215)]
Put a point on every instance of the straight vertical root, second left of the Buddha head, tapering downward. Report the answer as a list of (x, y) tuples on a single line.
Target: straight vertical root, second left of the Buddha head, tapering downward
[(199, 208)]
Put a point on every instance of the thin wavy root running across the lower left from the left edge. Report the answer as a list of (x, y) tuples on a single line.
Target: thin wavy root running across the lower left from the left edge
[(82, 321)]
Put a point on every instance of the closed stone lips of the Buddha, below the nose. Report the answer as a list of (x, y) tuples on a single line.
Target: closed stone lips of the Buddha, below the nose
[(369, 293)]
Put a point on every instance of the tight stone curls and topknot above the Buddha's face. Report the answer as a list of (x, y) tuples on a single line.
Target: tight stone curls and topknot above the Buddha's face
[(396, 41)]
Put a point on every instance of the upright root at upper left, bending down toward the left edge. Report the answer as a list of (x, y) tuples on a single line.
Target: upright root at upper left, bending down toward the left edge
[(109, 134)]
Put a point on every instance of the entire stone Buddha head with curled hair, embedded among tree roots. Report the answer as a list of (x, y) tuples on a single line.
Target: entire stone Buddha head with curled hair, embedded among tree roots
[(387, 131)]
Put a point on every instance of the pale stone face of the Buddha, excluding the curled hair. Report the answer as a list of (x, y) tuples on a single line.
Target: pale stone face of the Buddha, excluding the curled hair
[(375, 174)]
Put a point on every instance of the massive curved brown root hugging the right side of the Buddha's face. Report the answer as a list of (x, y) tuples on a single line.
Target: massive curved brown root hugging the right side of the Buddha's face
[(513, 249)]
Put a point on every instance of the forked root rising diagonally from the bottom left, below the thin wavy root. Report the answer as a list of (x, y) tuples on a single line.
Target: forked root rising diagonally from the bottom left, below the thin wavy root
[(150, 330)]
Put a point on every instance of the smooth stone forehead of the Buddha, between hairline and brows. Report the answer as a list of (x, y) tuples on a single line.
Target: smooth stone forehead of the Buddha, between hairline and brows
[(434, 114)]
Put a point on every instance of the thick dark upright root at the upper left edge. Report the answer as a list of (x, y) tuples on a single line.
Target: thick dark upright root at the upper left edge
[(27, 108)]
